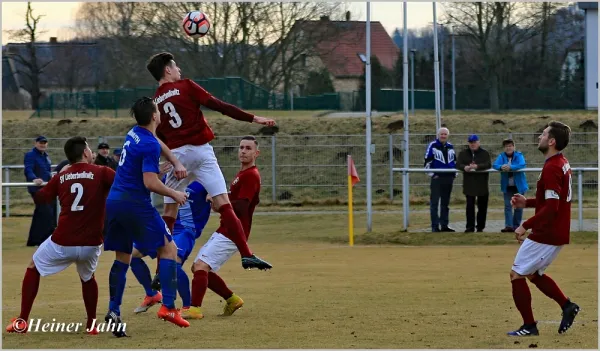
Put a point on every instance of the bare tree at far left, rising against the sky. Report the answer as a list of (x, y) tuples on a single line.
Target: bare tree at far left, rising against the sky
[(28, 64)]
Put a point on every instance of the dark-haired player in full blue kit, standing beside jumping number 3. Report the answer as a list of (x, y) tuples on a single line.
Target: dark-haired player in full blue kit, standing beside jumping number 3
[(131, 217)]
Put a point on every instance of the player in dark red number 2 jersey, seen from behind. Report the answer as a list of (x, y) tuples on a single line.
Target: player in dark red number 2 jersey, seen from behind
[(82, 189)]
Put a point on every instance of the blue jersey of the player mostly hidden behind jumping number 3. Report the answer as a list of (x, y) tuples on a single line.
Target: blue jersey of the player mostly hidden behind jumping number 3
[(195, 212)]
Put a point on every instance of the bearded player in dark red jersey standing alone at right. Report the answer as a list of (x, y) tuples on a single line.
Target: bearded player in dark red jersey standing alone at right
[(550, 226)]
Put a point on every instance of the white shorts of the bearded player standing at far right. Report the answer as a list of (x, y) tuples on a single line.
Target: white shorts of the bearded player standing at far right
[(534, 257)]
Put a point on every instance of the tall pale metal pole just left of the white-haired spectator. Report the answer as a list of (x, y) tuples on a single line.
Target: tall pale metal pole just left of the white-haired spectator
[(405, 184)]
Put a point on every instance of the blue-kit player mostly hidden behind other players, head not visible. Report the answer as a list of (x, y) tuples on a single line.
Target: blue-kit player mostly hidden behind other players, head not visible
[(191, 220)]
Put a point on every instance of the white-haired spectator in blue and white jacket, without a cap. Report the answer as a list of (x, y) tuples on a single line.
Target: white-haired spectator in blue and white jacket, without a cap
[(440, 155)]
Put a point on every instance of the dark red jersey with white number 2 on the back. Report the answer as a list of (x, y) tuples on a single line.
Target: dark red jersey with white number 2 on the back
[(82, 190)]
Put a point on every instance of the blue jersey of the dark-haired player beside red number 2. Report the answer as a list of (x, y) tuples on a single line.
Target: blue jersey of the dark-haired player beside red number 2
[(141, 154)]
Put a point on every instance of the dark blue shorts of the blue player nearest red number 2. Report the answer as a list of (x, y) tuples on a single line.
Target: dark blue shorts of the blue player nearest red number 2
[(127, 222)]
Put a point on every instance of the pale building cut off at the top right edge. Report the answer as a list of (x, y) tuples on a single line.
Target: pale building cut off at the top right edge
[(591, 54)]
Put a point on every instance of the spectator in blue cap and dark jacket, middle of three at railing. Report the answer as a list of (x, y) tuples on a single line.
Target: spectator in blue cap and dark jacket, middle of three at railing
[(474, 161)]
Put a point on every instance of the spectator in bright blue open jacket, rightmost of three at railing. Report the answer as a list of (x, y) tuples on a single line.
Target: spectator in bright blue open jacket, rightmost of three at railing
[(511, 182)]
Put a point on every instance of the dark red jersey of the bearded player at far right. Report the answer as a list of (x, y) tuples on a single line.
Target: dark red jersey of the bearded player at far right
[(551, 223)]
